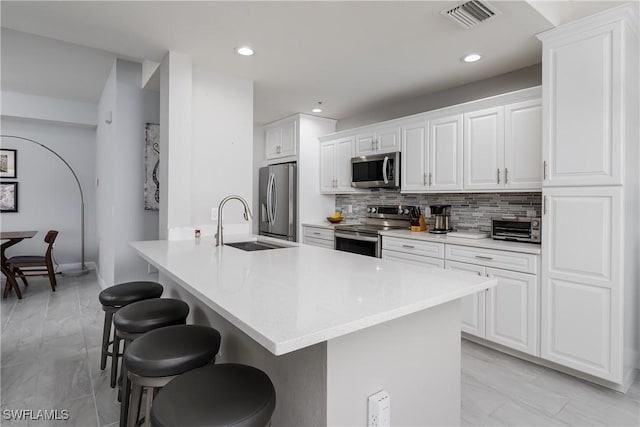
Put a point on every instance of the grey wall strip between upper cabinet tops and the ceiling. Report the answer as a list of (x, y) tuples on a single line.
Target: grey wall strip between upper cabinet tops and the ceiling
[(508, 82)]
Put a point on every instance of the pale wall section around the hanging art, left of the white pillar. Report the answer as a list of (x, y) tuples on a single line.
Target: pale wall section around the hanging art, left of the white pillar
[(120, 172)]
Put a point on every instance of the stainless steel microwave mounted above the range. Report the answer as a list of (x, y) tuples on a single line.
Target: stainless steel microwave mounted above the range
[(376, 171)]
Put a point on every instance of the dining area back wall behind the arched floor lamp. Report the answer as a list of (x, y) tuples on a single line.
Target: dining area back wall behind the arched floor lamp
[(48, 196)]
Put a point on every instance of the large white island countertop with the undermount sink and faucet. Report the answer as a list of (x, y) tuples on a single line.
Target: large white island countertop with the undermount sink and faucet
[(290, 298)]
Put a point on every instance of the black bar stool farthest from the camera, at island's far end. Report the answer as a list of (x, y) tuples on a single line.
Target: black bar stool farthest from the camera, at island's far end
[(112, 299)]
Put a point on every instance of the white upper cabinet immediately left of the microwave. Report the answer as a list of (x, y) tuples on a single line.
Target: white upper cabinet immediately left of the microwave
[(335, 166)]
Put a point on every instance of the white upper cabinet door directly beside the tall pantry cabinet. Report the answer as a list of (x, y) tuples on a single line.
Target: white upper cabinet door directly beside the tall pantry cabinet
[(523, 145)]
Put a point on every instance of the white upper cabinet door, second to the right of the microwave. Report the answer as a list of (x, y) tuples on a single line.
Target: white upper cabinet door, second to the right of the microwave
[(445, 153)]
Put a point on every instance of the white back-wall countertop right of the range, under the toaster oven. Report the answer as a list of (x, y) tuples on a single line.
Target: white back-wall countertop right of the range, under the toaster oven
[(488, 243)]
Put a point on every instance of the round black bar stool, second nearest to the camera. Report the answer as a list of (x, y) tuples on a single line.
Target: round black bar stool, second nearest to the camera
[(158, 356)]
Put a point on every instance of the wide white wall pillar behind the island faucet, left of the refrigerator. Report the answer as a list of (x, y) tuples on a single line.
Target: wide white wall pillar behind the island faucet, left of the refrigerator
[(210, 148)]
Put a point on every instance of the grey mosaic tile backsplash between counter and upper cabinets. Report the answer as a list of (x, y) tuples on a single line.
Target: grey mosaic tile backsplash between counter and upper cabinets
[(469, 211)]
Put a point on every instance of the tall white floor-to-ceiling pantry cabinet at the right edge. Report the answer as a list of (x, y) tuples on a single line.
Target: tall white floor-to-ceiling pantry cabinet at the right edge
[(590, 254)]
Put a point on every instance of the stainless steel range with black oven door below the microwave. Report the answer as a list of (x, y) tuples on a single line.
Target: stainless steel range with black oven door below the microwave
[(365, 239)]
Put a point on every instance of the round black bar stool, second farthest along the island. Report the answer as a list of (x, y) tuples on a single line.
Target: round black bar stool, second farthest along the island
[(138, 318)]
